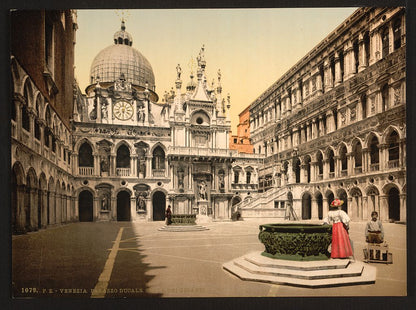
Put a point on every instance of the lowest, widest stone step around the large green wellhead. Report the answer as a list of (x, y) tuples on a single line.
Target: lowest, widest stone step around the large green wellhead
[(368, 276)]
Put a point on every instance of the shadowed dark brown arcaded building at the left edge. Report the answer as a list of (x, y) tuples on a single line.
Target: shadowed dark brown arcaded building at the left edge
[(42, 61)]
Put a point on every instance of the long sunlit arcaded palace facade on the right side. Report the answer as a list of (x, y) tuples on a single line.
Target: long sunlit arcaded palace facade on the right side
[(334, 125)]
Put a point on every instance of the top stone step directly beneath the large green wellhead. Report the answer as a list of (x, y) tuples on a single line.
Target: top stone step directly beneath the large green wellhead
[(263, 261)]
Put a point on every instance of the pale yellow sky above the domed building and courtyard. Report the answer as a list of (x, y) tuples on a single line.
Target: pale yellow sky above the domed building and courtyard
[(252, 47)]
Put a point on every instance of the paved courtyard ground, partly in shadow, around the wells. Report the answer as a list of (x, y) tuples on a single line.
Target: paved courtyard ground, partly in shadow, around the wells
[(124, 259)]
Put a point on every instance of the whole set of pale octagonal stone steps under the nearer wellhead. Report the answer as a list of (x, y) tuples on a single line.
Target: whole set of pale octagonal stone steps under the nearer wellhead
[(311, 274)]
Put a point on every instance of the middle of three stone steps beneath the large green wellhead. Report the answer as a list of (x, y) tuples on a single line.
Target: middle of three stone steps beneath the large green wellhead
[(352, 270)]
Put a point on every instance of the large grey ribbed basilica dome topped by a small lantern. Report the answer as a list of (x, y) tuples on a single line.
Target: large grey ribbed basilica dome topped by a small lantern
[(122, 58)]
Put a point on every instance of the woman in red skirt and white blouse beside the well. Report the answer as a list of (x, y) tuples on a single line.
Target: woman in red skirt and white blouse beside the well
[(341, 246)]
